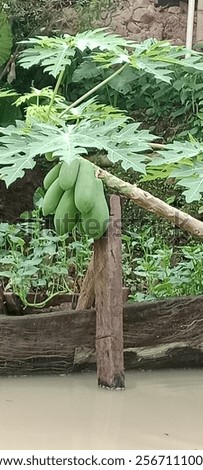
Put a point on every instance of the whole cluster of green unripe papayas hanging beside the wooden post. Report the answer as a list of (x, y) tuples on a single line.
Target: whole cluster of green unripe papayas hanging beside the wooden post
[(76, 197)]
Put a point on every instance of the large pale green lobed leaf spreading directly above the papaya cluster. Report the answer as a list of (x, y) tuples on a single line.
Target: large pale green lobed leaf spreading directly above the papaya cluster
[(20, 145)]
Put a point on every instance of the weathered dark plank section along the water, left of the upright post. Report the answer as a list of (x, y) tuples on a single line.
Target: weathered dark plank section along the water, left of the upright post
[(44, 343)]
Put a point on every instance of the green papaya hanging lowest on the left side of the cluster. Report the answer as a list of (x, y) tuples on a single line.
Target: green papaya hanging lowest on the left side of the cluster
[(66, 214)]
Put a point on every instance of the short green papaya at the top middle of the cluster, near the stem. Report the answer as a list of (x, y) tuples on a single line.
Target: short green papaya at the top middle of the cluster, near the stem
[(68, 174)]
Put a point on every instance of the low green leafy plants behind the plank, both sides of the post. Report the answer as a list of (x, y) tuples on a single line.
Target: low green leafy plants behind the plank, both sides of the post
[(34, 259)]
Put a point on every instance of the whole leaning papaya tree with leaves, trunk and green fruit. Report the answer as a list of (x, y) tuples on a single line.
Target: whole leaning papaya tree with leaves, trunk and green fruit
[(67, 133)]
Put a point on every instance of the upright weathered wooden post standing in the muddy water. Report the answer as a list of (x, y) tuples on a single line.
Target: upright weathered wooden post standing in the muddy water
[(109, 302)]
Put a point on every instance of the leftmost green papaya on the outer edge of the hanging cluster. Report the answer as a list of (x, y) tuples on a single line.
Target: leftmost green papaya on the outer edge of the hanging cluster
[(52, 198)]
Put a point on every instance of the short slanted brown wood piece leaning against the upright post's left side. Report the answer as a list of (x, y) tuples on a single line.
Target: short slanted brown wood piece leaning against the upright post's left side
[(87, 295)]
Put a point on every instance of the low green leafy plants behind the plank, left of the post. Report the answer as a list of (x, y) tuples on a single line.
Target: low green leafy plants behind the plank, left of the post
[(34, 259)]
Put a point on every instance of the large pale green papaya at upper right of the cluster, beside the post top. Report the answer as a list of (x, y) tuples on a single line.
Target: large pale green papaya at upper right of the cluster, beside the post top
[(85, 187)]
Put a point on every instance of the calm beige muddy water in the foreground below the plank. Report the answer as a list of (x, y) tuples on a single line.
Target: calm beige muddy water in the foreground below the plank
[(158, 410)]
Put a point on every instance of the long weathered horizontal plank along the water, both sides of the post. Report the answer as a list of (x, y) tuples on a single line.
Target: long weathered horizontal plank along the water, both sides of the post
[(161, 334)]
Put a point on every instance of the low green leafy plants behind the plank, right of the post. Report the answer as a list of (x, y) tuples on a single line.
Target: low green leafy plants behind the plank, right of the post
[(153, 269)]
